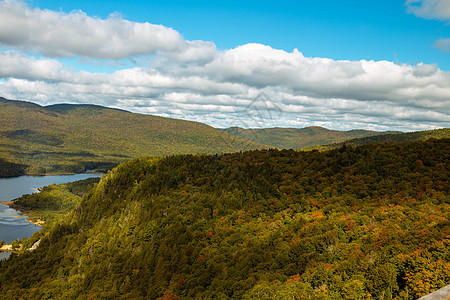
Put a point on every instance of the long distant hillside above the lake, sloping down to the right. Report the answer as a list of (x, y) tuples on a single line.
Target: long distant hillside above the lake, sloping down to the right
[(74, 138)]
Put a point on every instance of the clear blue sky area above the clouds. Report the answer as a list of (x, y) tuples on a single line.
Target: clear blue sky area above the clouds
[(353, 30)]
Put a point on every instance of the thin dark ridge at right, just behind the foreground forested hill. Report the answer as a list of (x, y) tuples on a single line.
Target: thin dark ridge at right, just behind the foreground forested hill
[(391, 138)]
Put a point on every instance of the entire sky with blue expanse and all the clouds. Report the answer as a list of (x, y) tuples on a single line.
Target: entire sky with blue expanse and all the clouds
[(377, 65)]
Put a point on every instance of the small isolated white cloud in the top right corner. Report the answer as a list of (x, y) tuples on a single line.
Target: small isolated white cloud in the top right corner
[(430, 9)]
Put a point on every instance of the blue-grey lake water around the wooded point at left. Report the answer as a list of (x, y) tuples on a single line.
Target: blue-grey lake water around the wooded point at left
[(12, 224)]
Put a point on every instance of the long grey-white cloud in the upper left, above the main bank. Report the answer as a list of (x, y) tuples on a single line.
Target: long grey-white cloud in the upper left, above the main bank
[(56, 34)]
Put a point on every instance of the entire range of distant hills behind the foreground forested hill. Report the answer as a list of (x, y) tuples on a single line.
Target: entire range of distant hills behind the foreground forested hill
[(73, 138)]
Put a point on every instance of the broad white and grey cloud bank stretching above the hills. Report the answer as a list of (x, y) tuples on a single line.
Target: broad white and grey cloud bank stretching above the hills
[(252, 85)]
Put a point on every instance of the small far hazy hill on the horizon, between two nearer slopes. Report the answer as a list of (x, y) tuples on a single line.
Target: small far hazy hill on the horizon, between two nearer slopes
[(297, 138)]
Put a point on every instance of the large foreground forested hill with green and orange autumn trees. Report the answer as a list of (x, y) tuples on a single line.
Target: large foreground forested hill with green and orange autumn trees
[(368, 222)]
